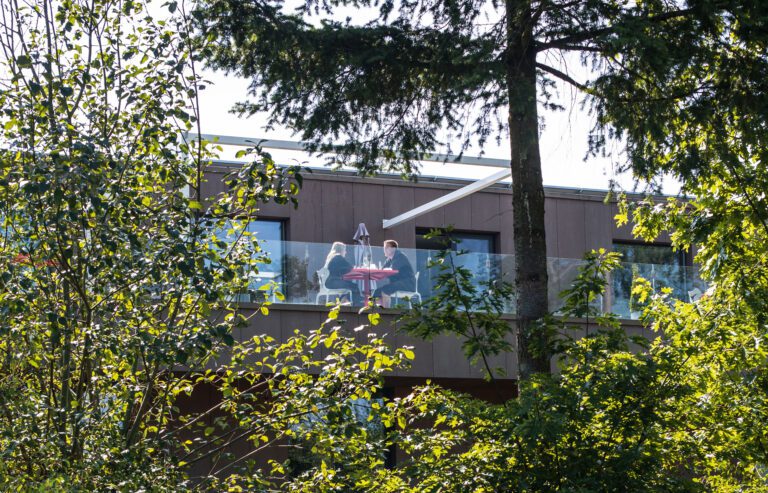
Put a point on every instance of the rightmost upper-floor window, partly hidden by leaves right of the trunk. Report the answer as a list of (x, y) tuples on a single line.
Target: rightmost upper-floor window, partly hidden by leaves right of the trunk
[(659, 264)]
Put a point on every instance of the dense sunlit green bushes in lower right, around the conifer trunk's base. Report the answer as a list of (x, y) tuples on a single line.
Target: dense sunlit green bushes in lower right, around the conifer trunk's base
[(682, 412)]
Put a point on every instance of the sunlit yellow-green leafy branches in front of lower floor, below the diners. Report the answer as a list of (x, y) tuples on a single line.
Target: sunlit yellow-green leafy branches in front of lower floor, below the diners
[(306, 394)]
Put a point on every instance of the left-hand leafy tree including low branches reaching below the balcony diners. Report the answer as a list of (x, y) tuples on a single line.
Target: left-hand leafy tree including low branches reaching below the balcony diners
[(117, 282)]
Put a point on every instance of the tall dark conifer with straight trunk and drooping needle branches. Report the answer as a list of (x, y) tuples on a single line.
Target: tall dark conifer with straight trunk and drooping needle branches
[(390, 85)]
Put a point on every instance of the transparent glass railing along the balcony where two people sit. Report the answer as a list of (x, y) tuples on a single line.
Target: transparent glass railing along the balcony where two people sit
[(295, 271)]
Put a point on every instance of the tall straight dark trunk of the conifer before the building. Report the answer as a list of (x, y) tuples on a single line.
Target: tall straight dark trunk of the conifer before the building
[(527, 189)]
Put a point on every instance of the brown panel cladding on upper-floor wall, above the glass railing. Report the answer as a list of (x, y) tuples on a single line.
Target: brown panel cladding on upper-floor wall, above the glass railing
[(331, 205)]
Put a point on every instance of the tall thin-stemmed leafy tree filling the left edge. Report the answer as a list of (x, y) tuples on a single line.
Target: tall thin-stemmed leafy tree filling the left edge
[(110, 270)]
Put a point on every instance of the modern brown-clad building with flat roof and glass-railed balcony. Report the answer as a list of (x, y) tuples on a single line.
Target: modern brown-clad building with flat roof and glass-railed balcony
[(332, 205)]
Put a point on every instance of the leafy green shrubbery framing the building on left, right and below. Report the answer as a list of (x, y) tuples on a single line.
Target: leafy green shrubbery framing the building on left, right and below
[(115, 292)]
